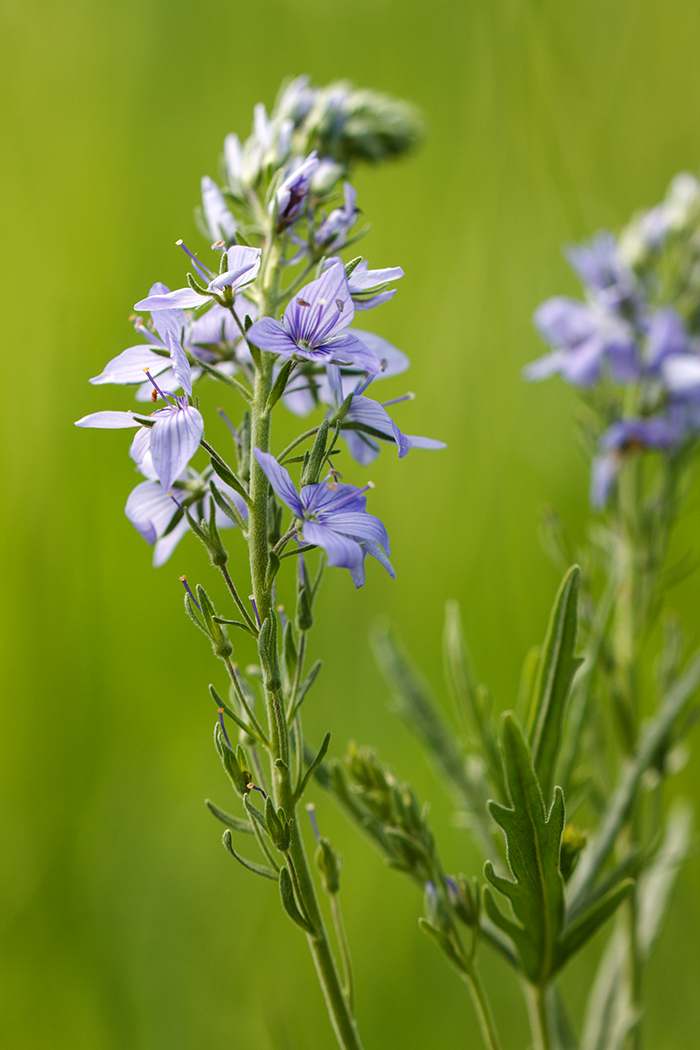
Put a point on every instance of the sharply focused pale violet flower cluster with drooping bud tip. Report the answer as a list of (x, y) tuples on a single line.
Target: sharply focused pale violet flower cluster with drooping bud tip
[(274, 214)]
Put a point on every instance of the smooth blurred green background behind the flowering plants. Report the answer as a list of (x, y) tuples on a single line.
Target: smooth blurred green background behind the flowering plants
[(124, 923)]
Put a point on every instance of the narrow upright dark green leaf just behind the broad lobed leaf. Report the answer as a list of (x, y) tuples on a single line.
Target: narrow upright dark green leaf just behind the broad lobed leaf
[(558, 666)]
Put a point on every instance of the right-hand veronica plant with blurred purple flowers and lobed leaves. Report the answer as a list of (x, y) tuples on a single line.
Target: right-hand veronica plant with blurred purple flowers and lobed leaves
[(572, 782)]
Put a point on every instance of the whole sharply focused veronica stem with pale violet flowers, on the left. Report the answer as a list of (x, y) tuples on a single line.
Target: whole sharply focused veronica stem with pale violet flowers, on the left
[(269, 317)]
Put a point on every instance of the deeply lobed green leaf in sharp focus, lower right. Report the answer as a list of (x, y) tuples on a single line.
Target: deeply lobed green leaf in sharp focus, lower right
[(534, 841)]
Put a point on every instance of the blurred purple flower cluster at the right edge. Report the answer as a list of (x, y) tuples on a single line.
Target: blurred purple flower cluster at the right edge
[(633, 344)]
